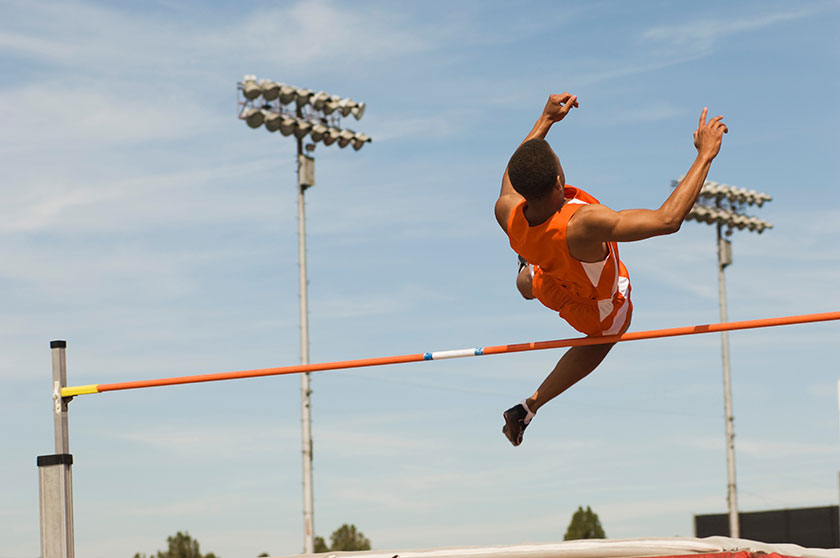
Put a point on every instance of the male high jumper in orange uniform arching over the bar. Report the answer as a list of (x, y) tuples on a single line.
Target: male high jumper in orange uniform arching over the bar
[(567, 246)]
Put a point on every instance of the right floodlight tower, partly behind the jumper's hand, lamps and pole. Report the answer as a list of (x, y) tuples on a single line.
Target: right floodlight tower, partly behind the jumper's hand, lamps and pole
[(723, 205)]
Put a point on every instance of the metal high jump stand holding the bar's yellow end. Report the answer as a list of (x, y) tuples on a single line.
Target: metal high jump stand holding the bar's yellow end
[(55, 480)]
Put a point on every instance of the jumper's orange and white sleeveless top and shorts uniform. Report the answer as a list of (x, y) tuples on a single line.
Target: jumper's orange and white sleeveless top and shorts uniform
[(593, 297)]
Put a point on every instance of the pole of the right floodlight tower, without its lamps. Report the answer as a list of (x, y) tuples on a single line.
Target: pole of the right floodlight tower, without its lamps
[(725, 259)]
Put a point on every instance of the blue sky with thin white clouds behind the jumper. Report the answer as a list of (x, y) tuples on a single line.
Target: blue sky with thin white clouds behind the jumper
[(156, 233)]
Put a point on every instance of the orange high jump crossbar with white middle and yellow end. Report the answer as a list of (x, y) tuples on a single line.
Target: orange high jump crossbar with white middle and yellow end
[(72, 391)]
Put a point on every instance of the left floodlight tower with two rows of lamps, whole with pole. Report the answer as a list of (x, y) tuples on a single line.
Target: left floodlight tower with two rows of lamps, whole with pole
[(300, 112)]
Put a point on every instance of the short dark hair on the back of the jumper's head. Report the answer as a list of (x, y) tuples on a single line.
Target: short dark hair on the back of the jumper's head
[(533, 169)]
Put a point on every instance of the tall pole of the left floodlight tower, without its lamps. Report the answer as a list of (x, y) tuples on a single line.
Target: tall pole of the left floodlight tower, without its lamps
[(305, 391)]
